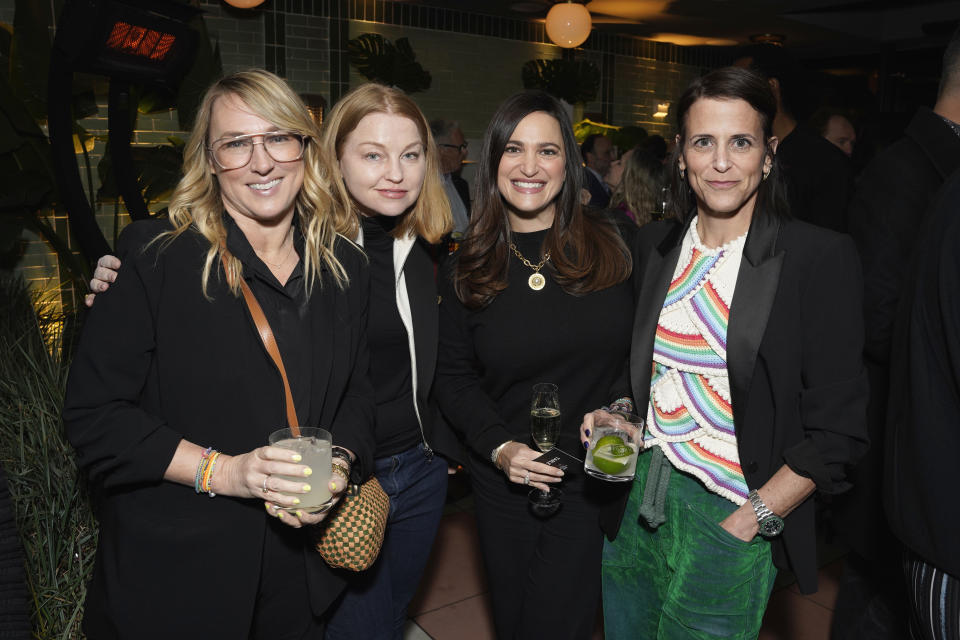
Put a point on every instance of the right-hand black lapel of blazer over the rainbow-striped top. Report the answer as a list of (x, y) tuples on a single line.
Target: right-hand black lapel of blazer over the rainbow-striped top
[(757, 282)]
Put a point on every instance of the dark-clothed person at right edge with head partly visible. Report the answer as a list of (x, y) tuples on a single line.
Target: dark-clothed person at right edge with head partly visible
[(886, 215)]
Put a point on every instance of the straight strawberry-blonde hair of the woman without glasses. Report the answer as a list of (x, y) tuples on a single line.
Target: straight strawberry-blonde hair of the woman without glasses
[(430, 217)]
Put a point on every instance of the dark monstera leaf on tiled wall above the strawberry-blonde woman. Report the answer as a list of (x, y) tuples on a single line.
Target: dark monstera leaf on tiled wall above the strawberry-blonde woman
[(394, 64)]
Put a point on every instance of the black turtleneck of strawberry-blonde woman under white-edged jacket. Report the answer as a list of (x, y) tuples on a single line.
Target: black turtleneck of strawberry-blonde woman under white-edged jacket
[(397, 425)]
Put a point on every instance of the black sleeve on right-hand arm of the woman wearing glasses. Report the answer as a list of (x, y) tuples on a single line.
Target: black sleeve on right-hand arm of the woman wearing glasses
[(353, 425)]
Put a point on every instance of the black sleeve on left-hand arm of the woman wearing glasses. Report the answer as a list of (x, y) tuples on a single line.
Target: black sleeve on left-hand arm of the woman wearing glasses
[(117, 442)]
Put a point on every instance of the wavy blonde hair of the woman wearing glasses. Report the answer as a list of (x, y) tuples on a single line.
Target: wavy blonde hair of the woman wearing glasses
[(197, 202)]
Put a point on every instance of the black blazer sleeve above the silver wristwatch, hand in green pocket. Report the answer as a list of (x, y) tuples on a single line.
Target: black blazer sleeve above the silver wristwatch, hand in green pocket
[(834, 391)]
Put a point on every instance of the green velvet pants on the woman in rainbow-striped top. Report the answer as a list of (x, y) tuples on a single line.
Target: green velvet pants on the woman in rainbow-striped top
[(688, 578)]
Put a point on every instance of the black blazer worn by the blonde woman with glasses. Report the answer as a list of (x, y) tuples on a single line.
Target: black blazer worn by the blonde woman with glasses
[(158, 362)]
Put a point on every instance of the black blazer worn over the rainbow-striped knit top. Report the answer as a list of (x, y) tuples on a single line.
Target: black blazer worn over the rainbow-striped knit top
[(794, 343)]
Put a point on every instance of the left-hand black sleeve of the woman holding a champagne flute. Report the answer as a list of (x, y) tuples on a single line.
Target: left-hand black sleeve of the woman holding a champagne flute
[(464, 402)]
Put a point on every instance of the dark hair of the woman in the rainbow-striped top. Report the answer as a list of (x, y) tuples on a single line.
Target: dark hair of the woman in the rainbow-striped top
[(729, 83)]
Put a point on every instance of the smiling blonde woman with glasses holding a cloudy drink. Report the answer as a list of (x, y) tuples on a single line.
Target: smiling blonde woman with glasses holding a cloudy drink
[(172, 394)]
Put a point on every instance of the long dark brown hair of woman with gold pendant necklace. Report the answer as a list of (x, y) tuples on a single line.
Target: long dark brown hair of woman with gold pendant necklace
[(587, 252)]
